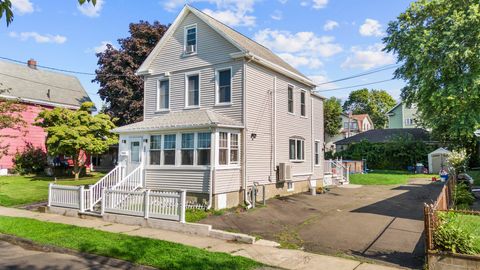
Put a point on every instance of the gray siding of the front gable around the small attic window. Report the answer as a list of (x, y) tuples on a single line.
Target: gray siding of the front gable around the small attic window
[(212, 48)]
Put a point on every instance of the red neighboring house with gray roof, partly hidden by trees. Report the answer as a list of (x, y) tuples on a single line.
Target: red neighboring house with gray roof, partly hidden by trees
[(37, 89)]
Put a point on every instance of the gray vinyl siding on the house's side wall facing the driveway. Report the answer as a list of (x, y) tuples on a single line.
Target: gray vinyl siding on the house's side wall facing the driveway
[(259, 120)]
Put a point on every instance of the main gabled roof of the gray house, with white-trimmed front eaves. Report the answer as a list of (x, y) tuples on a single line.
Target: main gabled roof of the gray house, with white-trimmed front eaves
[(247, 46)]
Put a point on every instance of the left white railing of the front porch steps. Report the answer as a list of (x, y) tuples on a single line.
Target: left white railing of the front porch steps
[(109, 180)]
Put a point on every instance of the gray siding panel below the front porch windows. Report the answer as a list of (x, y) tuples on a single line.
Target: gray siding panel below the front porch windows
[(192, 180)]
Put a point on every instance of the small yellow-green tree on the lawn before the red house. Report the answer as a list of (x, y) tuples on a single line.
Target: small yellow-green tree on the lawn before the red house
[(76, 133)]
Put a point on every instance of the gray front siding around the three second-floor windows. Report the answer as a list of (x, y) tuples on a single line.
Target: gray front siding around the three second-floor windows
[(207, 91)]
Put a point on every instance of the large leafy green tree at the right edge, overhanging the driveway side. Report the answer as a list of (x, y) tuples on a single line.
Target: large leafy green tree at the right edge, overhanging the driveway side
[(437, 44)]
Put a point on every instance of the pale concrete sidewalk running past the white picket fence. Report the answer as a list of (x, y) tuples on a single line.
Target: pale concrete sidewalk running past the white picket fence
[(261, 251)]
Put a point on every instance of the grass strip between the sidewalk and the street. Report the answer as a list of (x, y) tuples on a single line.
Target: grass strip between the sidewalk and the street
[(145, 251)]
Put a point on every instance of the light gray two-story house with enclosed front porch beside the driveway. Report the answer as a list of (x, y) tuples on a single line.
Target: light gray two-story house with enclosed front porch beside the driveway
[(223, 113)]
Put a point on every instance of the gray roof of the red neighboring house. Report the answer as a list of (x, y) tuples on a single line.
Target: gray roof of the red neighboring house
[(40, 86)]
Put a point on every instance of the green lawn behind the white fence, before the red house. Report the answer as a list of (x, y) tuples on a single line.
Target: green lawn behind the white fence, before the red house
[(19, 190)]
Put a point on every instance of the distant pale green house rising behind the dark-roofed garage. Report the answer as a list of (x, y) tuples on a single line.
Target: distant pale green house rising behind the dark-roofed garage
[(402, 116)]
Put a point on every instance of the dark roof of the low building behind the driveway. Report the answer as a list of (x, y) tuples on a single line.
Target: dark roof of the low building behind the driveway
[(385, 135)]
